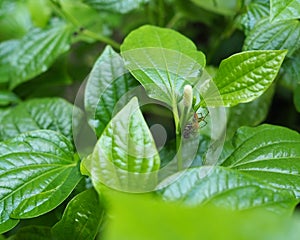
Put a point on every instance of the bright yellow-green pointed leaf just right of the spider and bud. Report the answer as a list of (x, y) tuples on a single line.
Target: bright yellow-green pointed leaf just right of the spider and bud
[(244, 76)]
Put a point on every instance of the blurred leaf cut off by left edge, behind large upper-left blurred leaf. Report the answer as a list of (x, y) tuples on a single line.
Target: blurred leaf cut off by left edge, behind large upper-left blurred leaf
[(5, 52)]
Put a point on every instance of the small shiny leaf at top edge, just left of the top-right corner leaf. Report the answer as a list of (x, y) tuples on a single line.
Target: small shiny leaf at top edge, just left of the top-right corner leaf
[(255, 11)]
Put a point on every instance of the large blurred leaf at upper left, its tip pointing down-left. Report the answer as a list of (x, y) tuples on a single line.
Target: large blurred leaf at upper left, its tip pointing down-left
[(37, 50)]
